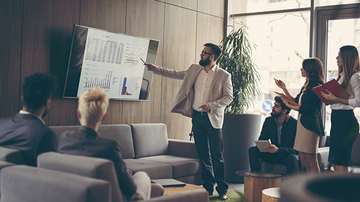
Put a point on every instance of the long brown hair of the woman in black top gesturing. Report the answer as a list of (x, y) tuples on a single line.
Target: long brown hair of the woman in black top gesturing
[(314, 68)]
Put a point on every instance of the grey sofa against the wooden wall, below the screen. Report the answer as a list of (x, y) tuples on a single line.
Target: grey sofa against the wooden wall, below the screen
[(146, 147)]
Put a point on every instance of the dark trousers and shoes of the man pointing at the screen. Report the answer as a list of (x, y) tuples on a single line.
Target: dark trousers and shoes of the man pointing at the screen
[(209, 148)]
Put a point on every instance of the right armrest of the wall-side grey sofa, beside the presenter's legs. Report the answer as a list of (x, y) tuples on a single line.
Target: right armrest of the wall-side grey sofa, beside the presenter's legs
[(182, 148)]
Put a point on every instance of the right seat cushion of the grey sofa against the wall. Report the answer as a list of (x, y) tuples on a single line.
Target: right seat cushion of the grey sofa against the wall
[(182, 166)]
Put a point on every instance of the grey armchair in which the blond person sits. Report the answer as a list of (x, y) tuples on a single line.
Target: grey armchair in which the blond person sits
[(104, 169)]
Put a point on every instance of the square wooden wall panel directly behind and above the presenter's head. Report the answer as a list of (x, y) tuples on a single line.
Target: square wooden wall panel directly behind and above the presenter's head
[(209, 30)]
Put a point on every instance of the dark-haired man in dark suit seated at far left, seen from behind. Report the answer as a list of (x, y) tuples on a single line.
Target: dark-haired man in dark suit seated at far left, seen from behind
[(26, 131)]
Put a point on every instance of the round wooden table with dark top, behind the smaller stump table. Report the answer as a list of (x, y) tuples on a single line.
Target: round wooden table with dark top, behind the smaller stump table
[(255, 182)]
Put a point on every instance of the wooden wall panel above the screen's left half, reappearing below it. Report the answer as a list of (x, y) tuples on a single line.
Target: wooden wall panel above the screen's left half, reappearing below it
[(108, 15)]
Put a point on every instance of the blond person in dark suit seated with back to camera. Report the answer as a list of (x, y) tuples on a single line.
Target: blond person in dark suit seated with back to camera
[(85, 141)]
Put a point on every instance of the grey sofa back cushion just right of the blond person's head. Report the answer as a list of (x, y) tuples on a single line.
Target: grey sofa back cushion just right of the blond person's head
[(122, 134)]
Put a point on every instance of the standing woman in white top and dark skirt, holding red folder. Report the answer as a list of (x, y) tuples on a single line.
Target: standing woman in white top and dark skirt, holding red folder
[(344, 125)]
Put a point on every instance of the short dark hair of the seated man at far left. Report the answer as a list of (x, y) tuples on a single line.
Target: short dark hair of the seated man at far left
[(37, 88)]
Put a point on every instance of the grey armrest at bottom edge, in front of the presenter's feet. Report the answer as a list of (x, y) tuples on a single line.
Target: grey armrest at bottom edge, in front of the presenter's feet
[(188, 196)]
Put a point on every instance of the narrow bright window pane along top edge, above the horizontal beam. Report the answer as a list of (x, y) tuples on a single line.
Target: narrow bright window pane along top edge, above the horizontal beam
[(243, 6)]
